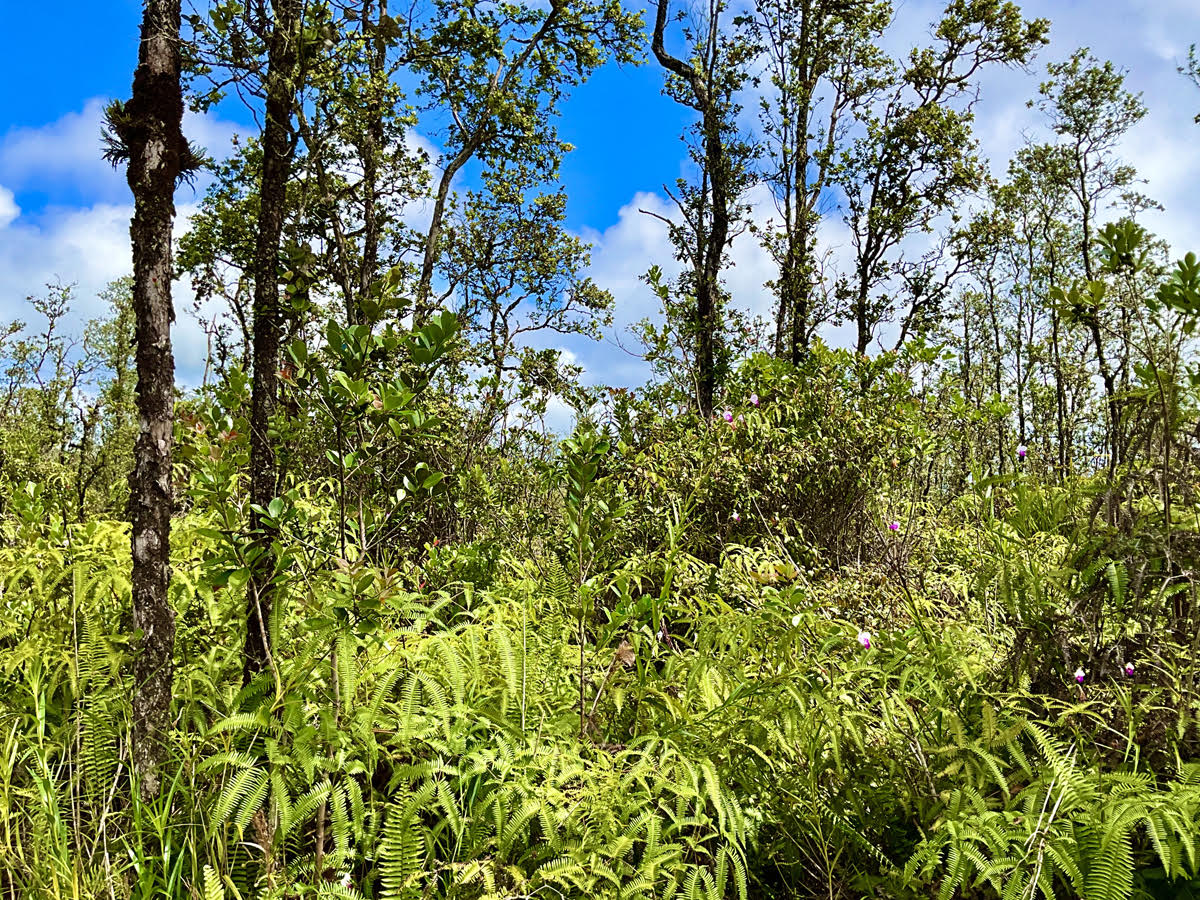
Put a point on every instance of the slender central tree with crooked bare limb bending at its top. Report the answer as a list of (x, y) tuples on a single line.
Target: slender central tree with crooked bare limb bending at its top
[(712, 209)]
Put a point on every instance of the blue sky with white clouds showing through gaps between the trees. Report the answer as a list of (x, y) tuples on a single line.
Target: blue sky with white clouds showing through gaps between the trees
[(64, 214)]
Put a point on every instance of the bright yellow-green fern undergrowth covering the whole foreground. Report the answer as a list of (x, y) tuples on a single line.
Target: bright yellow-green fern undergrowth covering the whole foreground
[(739, 740)]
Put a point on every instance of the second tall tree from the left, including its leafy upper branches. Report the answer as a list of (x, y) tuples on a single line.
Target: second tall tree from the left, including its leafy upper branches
[(263, 50)]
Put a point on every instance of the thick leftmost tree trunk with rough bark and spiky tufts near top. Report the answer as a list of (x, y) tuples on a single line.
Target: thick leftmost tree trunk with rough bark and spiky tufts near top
[(148, 134)]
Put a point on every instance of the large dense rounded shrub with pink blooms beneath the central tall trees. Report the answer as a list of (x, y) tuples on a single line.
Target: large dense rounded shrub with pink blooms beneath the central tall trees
[(824, 441)]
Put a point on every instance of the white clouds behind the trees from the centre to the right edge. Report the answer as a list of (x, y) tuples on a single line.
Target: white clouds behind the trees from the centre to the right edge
[(1150, 41)]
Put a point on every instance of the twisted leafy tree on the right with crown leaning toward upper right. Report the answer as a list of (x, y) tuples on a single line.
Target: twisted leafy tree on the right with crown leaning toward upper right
[(917, 159)]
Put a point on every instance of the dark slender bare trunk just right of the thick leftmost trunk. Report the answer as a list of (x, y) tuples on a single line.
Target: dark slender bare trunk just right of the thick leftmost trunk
[(278, 153)]
